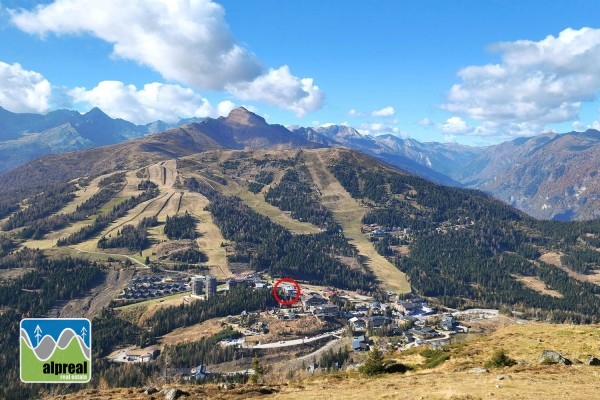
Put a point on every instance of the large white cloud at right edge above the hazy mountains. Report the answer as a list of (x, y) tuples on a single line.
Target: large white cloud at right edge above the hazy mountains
[(536, 83)]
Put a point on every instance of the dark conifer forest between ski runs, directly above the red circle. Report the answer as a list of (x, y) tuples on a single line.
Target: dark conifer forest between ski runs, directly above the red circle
[(266, 245)]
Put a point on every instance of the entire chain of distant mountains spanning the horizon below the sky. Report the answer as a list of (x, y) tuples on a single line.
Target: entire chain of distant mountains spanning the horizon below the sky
[(551, 176)]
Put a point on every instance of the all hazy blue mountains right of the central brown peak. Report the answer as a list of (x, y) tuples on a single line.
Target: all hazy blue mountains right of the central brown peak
[(550, 176)]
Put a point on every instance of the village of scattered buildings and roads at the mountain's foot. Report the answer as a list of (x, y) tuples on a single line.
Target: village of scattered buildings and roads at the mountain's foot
[(394, 323)]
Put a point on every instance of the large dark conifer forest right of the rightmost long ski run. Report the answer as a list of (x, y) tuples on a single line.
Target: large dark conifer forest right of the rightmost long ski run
[(468, 249)]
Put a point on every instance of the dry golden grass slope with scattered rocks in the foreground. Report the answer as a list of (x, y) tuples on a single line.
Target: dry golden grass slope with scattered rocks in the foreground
[(454, 379)]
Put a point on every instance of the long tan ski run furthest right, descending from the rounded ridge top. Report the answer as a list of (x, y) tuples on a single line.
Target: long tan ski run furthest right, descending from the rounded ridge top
[(348, 212)]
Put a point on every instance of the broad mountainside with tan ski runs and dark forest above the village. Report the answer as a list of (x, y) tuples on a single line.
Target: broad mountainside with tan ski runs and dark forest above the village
[(461, 246)]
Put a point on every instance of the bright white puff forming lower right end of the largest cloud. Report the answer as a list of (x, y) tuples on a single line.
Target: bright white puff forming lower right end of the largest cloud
[(279, 87)]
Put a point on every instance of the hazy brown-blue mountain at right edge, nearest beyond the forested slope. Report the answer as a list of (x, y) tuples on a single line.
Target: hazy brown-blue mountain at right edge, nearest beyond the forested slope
[(551, 176)]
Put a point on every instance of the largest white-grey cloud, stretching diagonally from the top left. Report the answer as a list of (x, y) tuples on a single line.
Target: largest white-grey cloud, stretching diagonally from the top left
[(187, 41)]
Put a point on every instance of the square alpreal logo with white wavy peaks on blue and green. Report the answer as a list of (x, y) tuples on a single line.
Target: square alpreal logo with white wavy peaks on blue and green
[(56, 350)]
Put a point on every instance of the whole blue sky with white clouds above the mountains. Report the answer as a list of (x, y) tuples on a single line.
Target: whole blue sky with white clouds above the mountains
[(472, 72)]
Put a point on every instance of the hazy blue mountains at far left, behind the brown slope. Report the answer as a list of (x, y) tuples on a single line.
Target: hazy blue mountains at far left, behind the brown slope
[(24, 136)]
